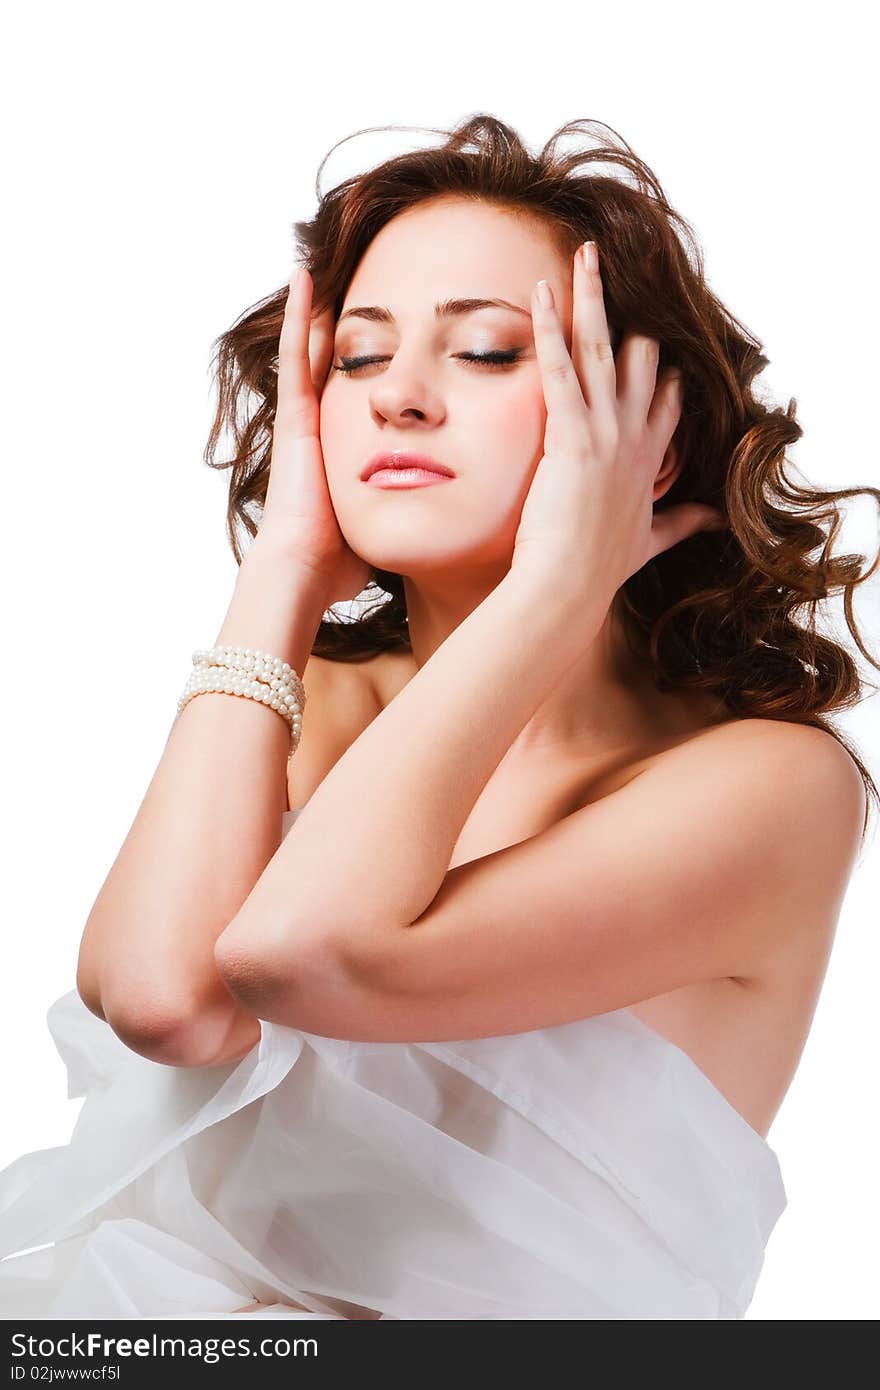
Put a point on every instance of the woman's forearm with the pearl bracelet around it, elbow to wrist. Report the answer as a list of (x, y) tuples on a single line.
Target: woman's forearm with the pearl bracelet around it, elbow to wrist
[(204, 835)]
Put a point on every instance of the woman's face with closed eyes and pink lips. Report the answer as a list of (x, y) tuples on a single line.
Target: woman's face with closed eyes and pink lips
[(483, 422)]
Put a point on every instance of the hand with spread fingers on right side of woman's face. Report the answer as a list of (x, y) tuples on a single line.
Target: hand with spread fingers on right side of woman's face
[(589, 516)]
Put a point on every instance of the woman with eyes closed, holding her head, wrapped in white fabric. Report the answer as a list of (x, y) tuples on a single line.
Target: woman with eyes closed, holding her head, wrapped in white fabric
[(568, 796)]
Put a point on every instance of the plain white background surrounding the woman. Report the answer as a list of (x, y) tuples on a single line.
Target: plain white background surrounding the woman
[(156, 161)]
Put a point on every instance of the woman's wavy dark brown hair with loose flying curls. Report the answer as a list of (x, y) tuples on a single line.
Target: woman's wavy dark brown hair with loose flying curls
[(728, 612)]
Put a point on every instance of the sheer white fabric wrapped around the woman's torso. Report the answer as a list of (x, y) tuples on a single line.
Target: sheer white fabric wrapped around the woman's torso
[(585, 1171)]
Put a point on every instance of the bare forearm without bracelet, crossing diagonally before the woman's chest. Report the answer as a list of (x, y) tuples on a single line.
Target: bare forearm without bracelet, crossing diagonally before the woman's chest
[(373, 846)]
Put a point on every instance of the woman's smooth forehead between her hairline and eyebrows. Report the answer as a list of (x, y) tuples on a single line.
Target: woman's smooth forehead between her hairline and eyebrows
[(455, 247)]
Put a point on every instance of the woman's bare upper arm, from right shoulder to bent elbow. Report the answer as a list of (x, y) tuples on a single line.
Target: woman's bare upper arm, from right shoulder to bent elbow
[(706, 867)]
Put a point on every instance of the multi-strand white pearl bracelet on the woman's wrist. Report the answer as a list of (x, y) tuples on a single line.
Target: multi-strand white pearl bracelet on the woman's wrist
[(240, 671)]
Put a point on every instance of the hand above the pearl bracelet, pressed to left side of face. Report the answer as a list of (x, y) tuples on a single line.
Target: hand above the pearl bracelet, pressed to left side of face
[(298, 516)]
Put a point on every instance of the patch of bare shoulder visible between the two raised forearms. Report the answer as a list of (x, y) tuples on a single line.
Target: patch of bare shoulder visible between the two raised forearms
[(341, 700)]
